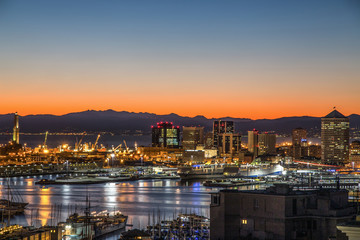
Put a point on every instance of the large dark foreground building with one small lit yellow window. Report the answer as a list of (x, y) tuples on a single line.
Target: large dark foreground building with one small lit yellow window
[(278, 212)]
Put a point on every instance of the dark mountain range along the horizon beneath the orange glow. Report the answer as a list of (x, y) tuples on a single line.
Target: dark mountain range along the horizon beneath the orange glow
[(120, 122)]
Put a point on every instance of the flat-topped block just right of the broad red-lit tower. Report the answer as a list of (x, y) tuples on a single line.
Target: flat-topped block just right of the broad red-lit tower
[(192, 136)]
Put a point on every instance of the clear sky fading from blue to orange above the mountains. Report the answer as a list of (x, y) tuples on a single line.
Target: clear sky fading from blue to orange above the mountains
[(254, 59)]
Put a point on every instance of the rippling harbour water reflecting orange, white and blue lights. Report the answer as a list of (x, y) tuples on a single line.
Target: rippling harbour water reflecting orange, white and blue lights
[(137, 199)]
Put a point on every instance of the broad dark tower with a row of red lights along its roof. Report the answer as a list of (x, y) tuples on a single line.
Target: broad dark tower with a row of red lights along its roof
[(166, 135)]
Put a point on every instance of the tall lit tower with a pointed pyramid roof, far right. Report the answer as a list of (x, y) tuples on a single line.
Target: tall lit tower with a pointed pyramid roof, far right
[(335, 138)]
